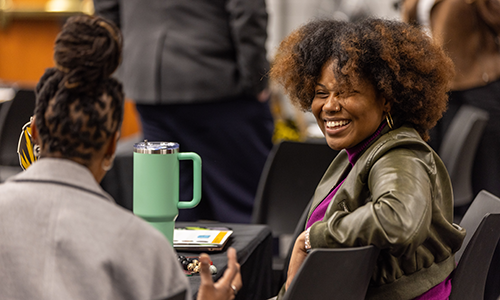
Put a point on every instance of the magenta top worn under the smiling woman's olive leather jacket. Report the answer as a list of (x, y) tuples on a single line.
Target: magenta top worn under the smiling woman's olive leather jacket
[(439, 292)]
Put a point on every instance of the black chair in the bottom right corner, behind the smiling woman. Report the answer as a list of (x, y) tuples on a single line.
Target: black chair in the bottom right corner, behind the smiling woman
[(473, 272)]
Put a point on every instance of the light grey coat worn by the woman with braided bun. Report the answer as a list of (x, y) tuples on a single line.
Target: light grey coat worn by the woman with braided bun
[(63, 237)]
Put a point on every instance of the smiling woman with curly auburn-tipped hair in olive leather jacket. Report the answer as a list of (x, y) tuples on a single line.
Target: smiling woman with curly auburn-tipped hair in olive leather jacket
[(375, 88)]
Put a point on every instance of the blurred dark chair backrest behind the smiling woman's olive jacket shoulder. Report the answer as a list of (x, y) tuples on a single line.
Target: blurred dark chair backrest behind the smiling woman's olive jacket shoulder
[(458, 150)]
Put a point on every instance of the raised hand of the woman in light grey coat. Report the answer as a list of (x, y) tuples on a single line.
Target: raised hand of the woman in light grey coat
[(227, 286)]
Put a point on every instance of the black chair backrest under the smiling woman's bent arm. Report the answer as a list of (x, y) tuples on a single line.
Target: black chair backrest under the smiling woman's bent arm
[(340, 273)]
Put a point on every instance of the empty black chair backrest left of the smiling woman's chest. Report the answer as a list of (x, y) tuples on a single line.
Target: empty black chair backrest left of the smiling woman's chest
[(287, 183)]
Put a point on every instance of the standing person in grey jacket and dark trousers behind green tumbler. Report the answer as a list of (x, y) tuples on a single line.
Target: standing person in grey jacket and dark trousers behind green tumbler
[(196, 70)]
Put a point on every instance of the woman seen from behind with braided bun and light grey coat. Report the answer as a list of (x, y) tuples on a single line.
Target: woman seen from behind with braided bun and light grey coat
[(61, 235)]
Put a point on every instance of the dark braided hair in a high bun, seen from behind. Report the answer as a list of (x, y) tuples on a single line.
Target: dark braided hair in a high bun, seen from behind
[(78, 105)]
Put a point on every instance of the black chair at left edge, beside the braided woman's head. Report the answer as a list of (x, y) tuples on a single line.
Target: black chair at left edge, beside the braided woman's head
[(13, 115)]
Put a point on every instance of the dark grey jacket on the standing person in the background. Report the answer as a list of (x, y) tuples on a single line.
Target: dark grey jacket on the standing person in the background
[(184, 51)]
